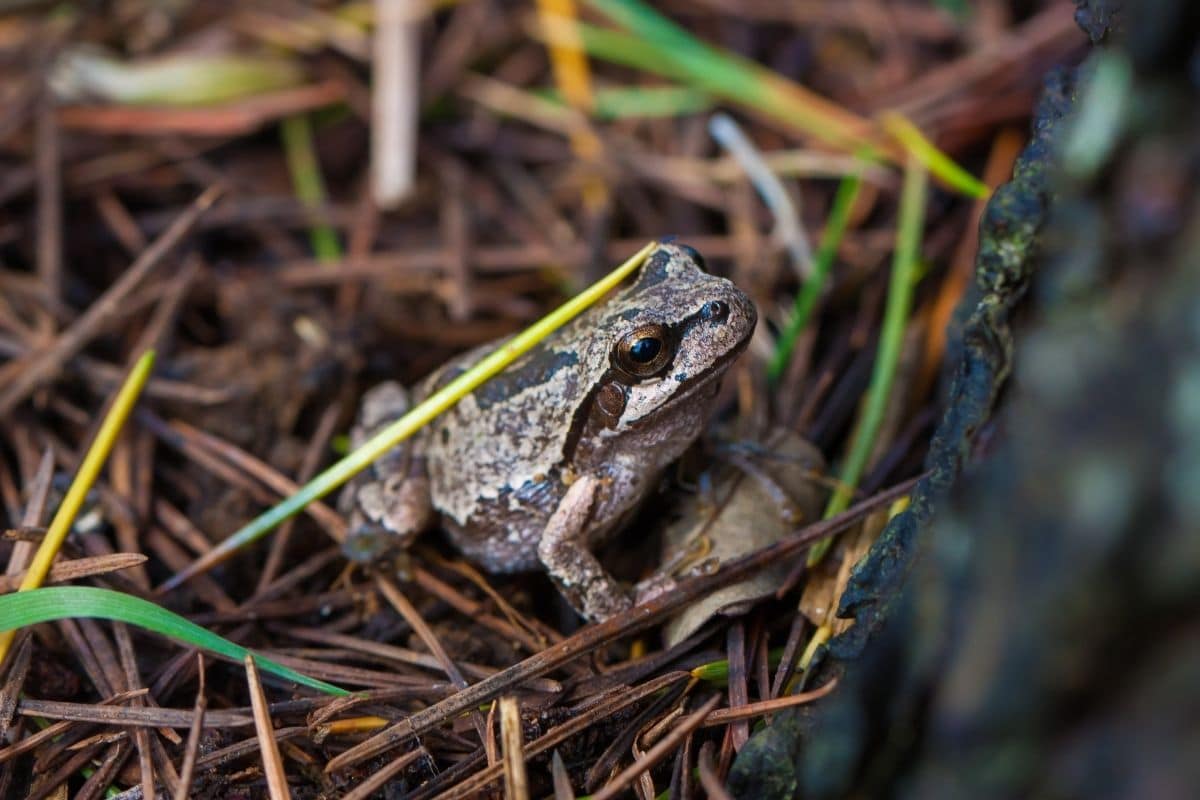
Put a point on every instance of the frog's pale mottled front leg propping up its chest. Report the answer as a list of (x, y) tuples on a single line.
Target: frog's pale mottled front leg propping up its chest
[(563, 550)]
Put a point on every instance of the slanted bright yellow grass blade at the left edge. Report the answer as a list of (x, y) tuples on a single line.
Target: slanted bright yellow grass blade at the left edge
[(93, 462)]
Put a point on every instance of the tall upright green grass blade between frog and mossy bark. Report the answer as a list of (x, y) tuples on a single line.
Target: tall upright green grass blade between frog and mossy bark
[(896, 317)]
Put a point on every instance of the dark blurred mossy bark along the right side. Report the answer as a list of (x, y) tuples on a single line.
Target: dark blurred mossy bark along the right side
[(1029, 630)]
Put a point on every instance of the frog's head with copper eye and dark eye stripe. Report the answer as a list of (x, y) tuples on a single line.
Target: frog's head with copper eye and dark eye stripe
[(670, 338)]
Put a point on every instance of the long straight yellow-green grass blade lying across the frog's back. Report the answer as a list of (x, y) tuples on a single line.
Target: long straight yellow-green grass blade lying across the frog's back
[(411, 423)]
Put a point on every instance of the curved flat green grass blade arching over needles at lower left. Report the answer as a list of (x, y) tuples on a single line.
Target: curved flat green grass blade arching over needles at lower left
[(73, 603)]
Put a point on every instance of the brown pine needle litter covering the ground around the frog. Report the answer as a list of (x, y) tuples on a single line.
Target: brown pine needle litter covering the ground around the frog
[(332, 197)]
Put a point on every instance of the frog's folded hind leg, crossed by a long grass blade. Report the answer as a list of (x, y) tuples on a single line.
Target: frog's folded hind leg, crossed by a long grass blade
[(389, 503)]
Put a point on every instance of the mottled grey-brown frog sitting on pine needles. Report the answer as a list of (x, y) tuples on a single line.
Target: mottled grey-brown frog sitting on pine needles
[(542, 465)]
